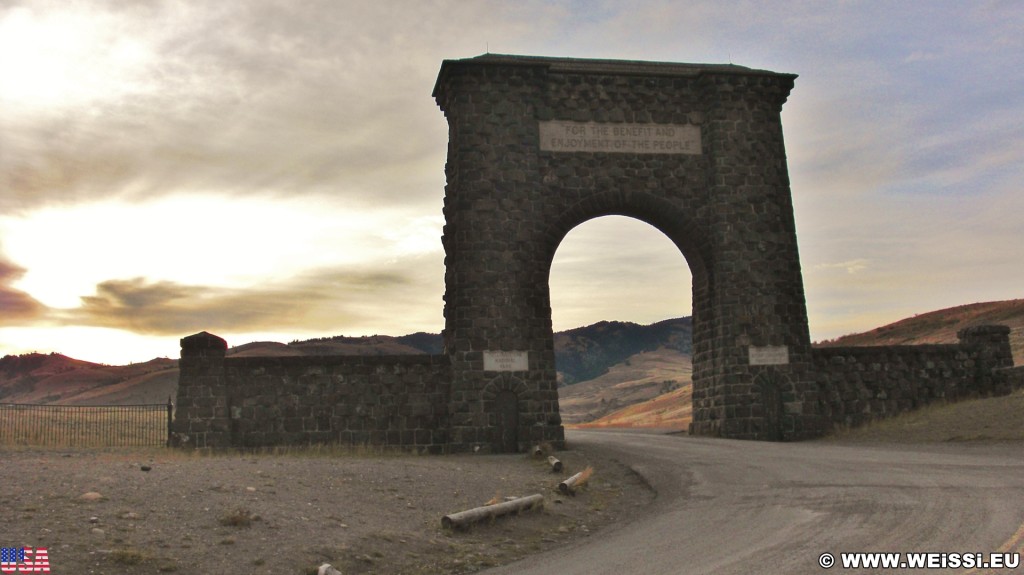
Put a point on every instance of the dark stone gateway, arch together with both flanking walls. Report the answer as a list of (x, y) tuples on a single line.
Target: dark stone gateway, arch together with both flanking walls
[(536, 148)]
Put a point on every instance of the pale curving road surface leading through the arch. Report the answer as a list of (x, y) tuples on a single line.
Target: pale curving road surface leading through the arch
[(730, 507)]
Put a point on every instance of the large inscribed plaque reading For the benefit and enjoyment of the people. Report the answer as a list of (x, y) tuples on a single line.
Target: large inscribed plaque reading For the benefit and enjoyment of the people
[(623, 139)]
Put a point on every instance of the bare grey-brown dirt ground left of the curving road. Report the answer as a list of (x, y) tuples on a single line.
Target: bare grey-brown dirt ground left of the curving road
[(162, 511)]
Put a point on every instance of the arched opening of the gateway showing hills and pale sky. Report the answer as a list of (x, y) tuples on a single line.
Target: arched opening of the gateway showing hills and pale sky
[(622, 302)]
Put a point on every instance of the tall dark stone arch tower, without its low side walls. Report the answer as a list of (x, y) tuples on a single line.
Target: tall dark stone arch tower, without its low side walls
[(540, 146)]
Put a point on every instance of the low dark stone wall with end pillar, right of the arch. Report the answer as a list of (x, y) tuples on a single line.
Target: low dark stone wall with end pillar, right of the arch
[(862, 384)]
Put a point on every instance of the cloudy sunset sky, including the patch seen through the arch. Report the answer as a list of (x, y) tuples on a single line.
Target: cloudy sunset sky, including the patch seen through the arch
[(275, 170)]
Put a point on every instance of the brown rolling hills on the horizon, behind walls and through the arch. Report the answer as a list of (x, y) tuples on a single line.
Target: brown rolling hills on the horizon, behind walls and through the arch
[(612, 374)]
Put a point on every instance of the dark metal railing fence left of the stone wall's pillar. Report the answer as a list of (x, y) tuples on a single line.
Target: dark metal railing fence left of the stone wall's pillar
[(87, 426)]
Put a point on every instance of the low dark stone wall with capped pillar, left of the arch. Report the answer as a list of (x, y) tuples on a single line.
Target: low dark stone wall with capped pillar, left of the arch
[(400, 402)]
